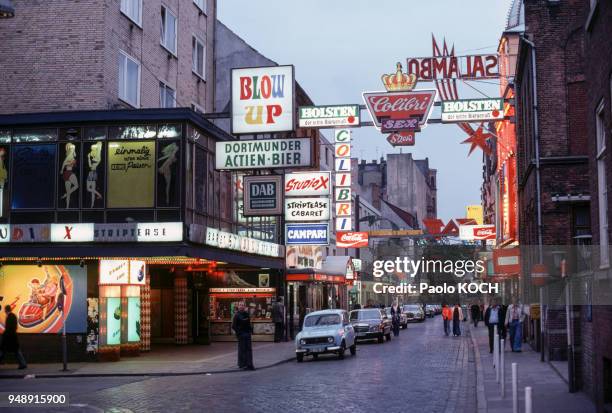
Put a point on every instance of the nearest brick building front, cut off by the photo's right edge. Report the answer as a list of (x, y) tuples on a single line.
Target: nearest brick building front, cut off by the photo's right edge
[(598, 52)]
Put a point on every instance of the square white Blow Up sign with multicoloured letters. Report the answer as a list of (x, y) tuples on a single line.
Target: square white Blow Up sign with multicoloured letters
[(263, 100)]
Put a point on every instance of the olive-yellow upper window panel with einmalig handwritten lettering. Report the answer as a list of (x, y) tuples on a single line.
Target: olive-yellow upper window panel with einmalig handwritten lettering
[(131, 174)]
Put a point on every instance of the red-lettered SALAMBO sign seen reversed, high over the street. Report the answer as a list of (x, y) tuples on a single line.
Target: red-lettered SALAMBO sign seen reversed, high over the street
[(454, 67)]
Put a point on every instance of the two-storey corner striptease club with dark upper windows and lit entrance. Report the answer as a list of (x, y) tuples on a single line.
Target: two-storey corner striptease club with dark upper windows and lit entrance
[(120, 218)]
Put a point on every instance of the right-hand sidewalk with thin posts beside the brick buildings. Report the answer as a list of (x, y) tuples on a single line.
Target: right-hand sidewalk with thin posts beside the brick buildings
[(549, 391)]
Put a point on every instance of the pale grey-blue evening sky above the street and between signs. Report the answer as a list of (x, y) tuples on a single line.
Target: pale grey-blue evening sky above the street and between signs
[(340, 48)]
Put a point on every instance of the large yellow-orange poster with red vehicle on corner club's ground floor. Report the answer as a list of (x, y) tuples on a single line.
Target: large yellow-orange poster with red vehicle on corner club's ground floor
[(38, 294)]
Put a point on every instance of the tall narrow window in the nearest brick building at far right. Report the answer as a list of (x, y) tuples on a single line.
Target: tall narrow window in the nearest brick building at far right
[(602, 187)]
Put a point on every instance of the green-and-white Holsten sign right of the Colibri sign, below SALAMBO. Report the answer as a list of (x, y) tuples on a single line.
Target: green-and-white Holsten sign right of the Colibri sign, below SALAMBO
[(472, 110)]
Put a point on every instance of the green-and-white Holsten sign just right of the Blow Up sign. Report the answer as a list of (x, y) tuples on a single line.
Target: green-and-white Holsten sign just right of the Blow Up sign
[(329, 116)]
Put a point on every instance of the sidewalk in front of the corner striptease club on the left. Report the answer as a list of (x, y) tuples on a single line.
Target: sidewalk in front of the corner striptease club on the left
[(165, 360)]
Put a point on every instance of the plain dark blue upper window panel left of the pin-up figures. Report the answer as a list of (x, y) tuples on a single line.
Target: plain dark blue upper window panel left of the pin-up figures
[(33, 179)]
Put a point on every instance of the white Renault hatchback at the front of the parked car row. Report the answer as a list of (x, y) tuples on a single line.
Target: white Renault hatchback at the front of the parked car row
[(325, 331)]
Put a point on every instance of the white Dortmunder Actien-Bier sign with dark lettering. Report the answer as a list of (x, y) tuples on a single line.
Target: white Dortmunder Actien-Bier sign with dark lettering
[(267, 153)]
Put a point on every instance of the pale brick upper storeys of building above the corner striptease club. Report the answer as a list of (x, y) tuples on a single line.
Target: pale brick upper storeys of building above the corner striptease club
[(60, 55)]
